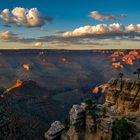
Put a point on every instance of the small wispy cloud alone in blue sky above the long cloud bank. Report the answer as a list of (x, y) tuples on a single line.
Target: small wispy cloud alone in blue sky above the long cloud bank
[(99, 16)]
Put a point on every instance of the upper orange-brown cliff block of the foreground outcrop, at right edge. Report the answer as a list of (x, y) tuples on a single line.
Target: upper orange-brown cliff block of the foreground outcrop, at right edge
[(123, 95)]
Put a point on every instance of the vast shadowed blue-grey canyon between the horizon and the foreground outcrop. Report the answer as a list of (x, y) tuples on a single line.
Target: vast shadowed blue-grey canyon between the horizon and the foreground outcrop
[(38, 87)]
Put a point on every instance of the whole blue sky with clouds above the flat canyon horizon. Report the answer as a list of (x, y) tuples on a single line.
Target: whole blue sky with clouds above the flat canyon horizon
[(69, 24)]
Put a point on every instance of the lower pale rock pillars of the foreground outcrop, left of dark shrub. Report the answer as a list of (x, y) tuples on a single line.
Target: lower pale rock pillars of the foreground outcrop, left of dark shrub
[(82, 126)]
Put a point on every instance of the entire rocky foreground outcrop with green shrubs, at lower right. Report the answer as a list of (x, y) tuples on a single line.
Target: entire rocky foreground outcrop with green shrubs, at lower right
[(91, 121)]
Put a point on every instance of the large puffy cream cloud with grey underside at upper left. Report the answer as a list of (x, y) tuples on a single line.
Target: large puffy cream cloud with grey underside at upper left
[(24, 17)]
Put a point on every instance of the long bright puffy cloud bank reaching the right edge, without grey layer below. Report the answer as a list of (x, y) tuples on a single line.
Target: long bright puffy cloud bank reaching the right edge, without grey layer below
[(104, 29)]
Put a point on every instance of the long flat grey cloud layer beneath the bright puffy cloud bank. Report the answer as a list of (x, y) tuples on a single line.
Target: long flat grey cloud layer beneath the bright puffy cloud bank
[(80, 40)]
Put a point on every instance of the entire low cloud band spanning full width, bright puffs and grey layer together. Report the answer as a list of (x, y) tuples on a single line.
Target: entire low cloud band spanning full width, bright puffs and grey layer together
[(98, 35)]
